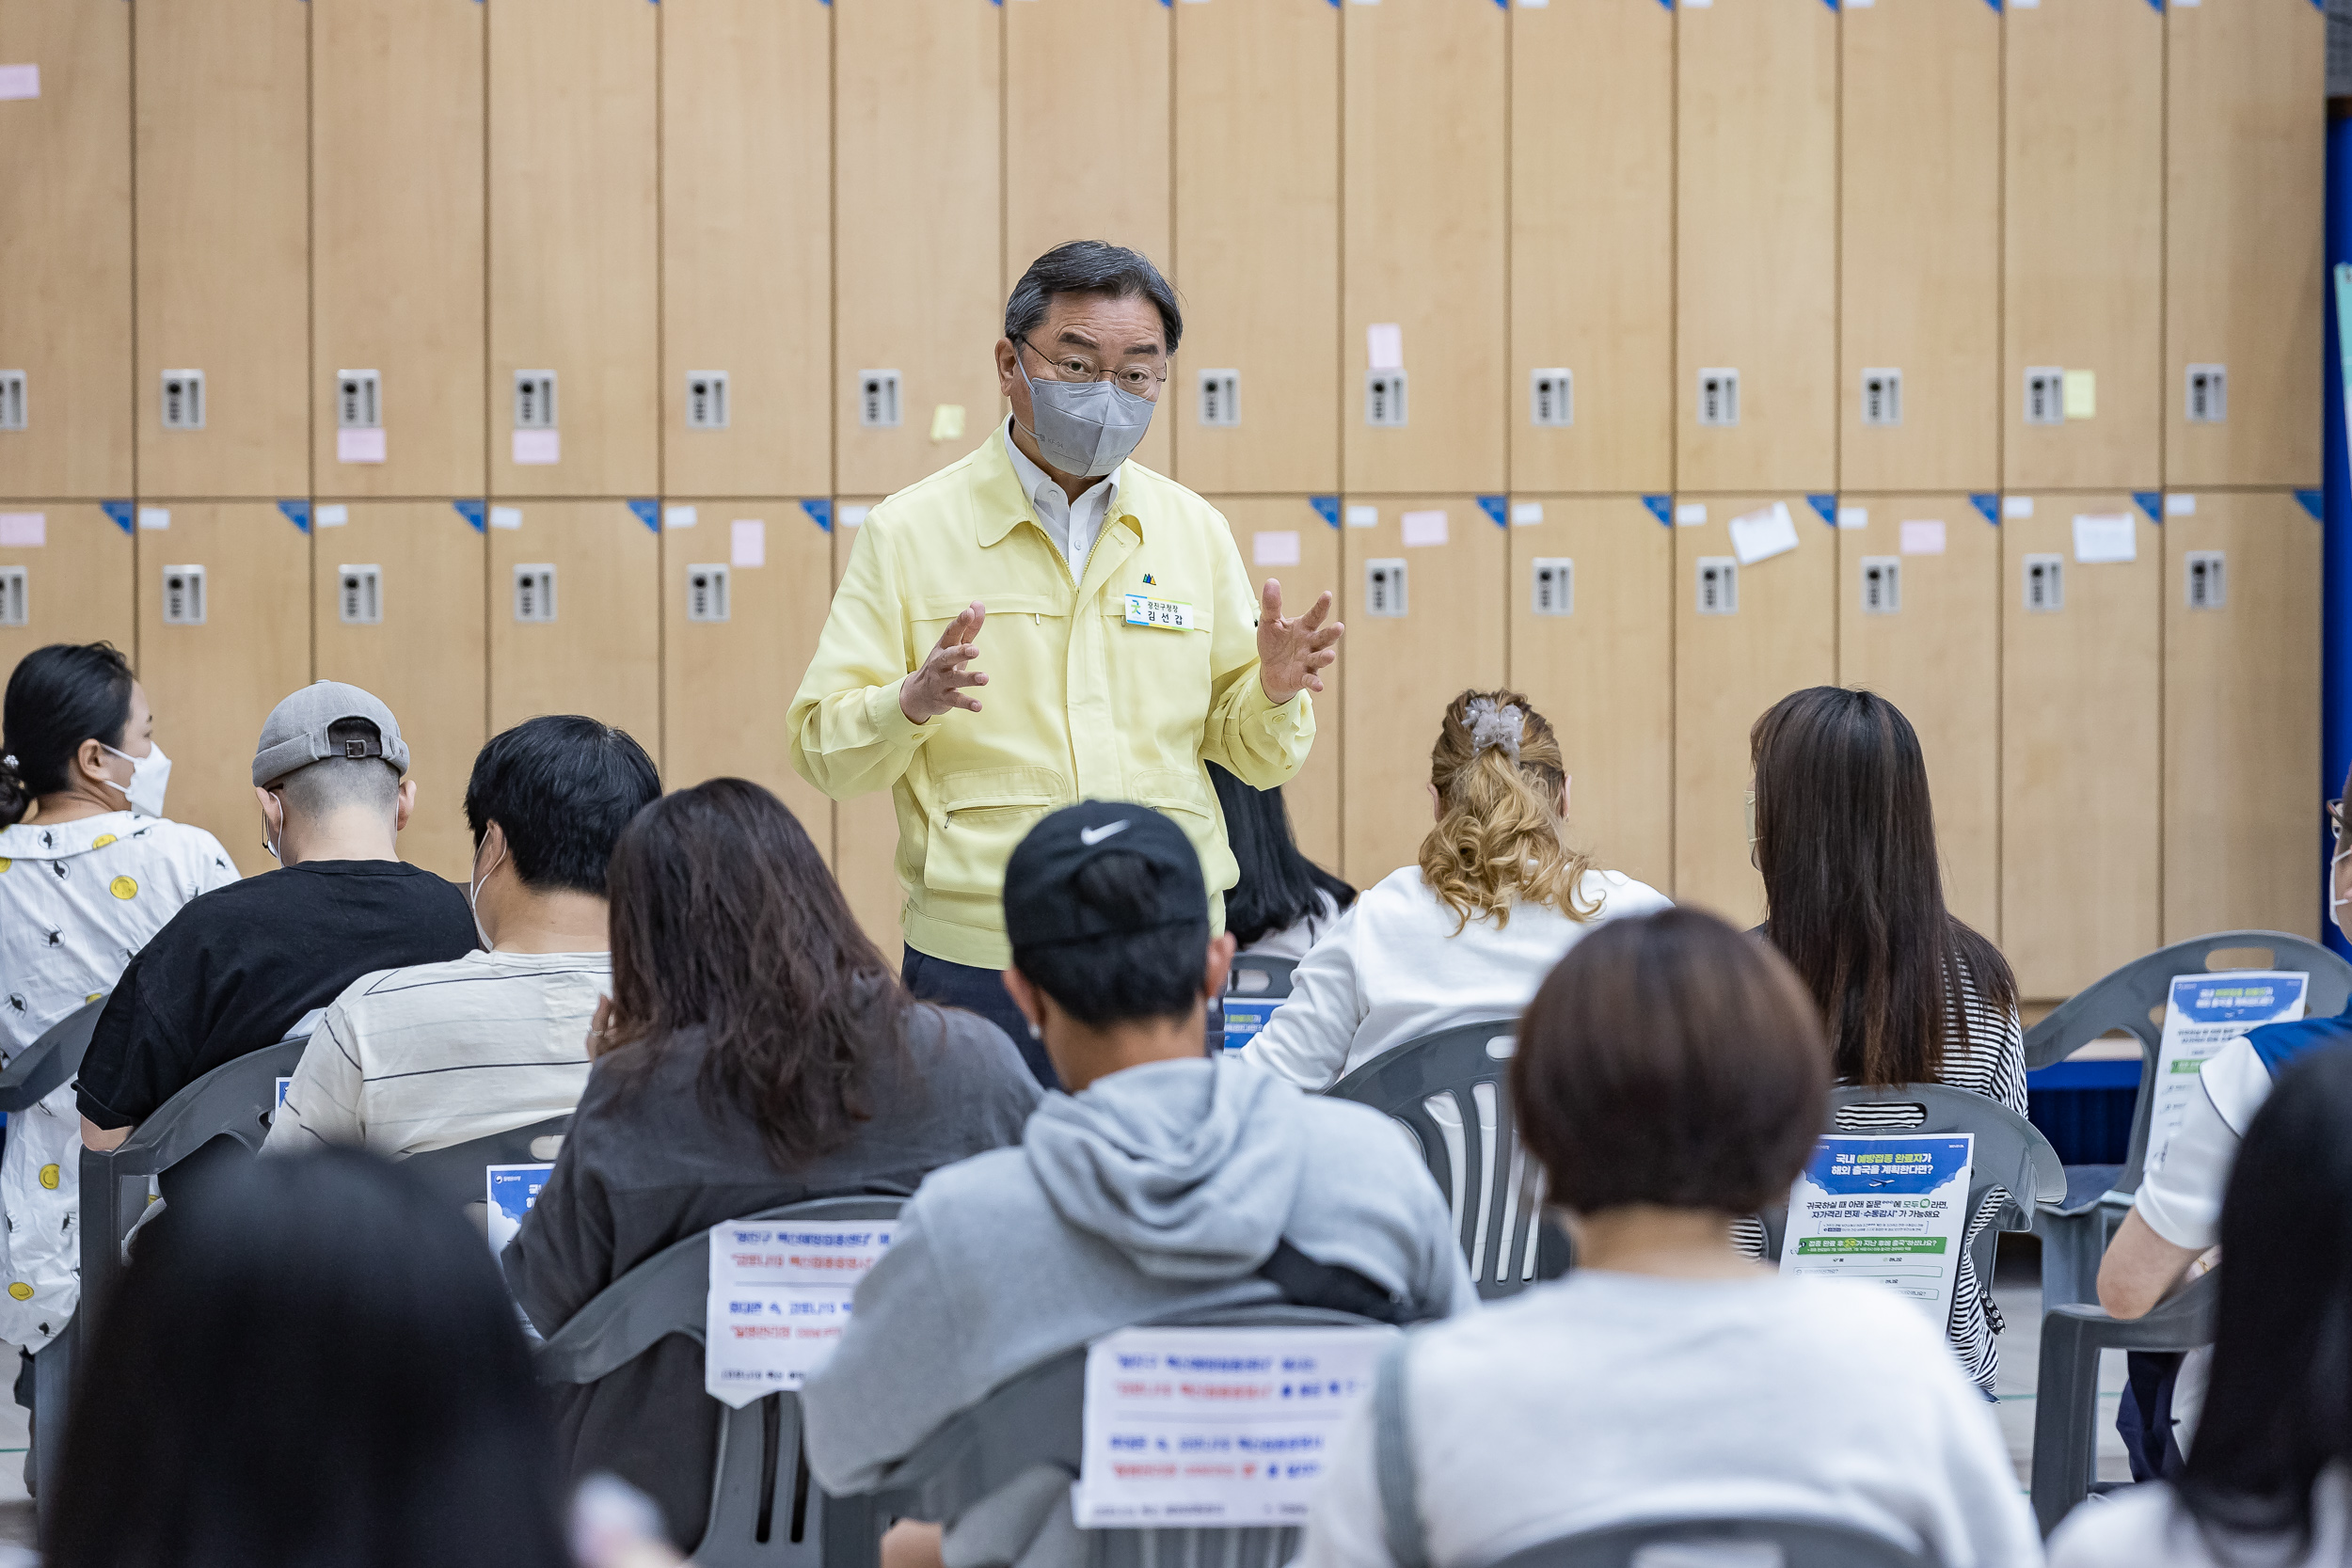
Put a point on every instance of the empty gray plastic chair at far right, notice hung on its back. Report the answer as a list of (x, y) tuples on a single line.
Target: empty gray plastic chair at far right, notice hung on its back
[(2078, 1226)]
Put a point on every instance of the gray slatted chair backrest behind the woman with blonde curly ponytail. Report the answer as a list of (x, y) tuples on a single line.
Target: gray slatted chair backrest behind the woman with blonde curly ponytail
[(1448, 1092)]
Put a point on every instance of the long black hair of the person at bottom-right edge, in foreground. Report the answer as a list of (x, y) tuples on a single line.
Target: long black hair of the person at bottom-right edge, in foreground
[(2280, 1405)]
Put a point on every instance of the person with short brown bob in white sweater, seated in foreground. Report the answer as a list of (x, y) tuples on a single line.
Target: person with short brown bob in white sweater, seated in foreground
[(1669, 1078)]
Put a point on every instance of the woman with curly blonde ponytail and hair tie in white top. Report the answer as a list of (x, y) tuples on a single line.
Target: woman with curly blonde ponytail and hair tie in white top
[(1469, 932)]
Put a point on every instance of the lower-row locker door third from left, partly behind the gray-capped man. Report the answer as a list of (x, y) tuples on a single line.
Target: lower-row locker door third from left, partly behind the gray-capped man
[(396, 596)]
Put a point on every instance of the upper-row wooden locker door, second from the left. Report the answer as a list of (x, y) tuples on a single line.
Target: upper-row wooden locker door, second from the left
[(225, 246)]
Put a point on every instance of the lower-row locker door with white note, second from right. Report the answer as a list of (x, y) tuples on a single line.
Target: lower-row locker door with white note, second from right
[(2080, 749)]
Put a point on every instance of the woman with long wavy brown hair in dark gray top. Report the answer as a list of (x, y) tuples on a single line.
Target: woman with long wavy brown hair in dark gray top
[(756, 1052)]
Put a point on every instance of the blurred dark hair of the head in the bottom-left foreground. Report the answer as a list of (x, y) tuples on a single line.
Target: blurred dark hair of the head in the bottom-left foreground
[(312, 1367)]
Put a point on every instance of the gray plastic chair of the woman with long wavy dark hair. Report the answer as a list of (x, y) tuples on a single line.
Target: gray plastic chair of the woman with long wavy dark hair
[(766, 1510)]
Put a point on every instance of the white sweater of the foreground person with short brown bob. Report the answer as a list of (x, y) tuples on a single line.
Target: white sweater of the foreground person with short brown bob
[(1610, 1400)]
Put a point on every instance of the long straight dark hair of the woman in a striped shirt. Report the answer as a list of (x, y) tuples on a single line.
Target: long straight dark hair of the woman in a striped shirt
[(1855, 894)]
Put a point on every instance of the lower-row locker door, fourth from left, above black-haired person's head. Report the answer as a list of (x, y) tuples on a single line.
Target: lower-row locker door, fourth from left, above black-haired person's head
[(596, 648)]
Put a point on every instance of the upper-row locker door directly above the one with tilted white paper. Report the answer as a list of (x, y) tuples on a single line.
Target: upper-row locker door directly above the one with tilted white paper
[(1756, 246)]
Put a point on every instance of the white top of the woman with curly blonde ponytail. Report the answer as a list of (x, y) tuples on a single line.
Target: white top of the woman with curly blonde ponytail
[(1394, 970)]
